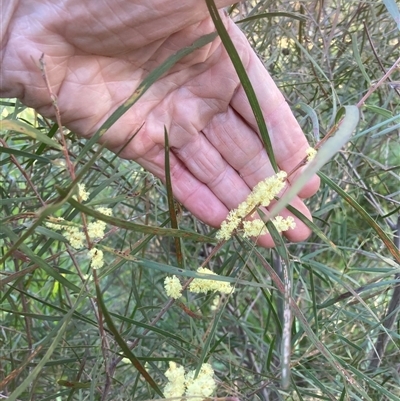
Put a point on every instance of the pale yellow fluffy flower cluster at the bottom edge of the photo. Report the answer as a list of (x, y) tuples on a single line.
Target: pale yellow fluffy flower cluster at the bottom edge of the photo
[(197, 389)]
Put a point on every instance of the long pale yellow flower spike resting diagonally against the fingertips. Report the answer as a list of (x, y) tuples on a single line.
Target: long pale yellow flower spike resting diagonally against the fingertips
[(262, 195)]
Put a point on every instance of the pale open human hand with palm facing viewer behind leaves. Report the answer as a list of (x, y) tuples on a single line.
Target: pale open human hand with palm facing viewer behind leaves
[(98, 51)]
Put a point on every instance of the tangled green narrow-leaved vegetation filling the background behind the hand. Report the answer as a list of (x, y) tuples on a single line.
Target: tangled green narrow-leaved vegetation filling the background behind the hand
[(61, 336)]
